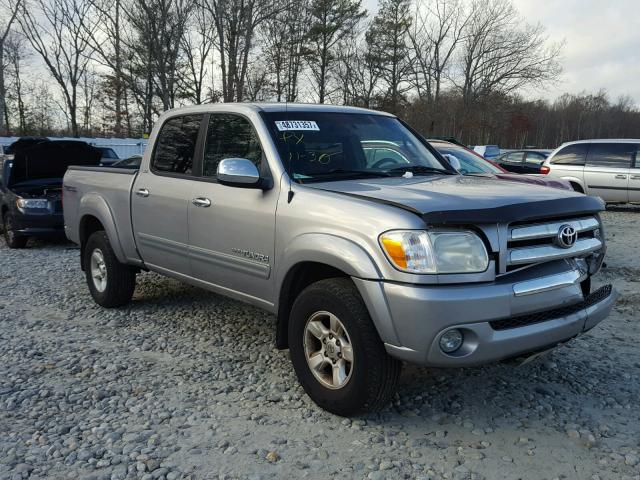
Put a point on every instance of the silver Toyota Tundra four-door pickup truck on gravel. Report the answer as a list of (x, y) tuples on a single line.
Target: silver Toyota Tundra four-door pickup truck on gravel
[(367, 256)]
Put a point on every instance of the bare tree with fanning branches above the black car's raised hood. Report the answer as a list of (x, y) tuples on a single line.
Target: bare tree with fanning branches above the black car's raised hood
[(60, 32)]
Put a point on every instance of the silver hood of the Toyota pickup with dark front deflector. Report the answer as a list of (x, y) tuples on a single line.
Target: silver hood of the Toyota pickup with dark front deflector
[(465, 199)]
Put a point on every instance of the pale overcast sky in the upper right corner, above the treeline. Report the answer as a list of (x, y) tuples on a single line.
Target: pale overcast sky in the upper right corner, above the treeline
[(602, 47)]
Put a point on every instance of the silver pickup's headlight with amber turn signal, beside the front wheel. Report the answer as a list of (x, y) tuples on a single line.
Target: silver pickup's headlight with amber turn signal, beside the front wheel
[(416, 251)]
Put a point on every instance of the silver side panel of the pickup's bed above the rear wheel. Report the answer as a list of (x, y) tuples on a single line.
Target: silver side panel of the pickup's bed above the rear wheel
[(104, 193)]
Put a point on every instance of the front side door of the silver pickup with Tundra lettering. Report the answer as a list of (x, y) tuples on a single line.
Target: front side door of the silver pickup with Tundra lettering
[(232, 229)]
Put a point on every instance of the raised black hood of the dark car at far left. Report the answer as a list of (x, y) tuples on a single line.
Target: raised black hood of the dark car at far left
[(51, 159)]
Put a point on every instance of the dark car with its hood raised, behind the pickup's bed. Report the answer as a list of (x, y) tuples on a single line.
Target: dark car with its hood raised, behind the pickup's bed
[(31, 187)]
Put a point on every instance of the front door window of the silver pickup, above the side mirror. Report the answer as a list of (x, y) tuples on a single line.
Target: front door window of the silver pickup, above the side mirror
[(229, 136)]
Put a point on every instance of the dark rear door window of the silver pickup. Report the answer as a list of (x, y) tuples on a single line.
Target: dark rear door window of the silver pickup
[(176, 145)]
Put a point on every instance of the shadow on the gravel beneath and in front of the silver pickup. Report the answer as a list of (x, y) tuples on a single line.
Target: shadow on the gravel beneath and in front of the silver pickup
[(551, 392)]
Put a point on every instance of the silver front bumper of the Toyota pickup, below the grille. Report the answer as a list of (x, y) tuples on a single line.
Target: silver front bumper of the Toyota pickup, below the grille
[(520, 313)]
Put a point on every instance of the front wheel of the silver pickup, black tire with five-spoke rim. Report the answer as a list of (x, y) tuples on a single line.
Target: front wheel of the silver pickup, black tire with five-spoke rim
[(368, 382)]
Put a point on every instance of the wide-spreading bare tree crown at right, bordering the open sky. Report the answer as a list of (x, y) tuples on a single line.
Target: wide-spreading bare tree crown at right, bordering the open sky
[(501, 53)]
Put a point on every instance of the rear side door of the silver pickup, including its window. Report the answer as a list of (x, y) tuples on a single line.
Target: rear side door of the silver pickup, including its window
[(161, 196)]
